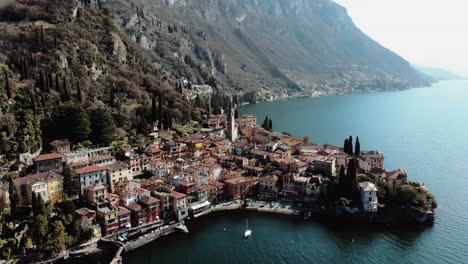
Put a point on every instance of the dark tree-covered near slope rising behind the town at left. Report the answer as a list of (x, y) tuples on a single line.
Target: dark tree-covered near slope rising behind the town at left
[(63, 60)]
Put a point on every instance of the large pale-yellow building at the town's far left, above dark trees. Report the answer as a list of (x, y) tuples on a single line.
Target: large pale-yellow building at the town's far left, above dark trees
[(48, 184)]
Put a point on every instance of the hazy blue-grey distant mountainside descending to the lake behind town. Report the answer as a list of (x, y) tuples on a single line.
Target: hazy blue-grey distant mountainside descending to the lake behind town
[(264, 45)]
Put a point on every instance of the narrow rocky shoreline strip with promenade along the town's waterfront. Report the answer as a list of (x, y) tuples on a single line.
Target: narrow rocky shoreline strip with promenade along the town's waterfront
[(326, 216)]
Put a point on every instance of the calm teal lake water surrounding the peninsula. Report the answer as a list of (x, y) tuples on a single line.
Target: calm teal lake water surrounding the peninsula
[(424, 131)]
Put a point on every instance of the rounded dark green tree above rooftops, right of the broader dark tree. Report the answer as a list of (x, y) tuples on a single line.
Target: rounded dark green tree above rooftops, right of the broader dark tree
[(102, 126)]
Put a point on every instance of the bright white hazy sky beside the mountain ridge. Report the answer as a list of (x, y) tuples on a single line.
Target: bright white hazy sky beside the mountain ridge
[(425, 32)]
